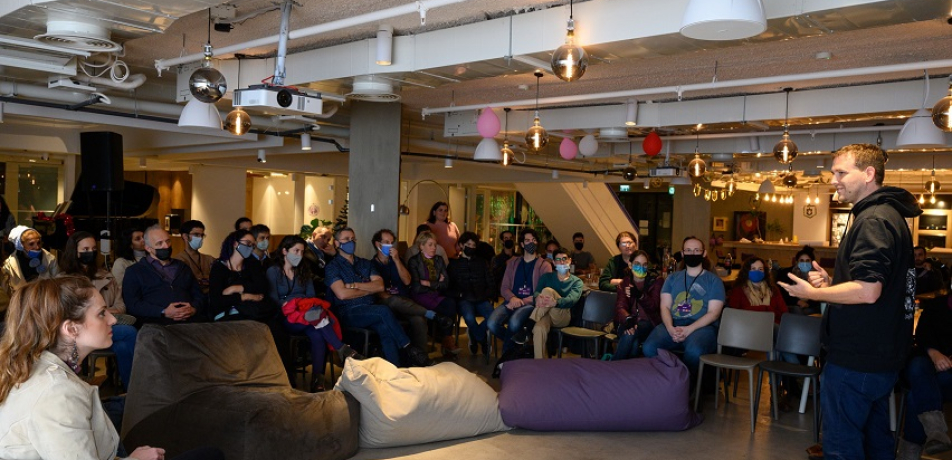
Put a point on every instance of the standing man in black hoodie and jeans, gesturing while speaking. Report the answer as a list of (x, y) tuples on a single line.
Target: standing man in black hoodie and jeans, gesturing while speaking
[(867, 326)]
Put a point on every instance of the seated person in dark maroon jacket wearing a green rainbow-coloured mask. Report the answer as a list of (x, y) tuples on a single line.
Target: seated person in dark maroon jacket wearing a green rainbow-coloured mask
[(637, 307)]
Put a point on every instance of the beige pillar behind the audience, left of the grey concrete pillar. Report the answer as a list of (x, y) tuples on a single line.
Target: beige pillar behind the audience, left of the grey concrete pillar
[(218, 199)]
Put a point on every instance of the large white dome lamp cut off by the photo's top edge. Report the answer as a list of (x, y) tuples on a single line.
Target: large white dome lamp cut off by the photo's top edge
[(723, 19)]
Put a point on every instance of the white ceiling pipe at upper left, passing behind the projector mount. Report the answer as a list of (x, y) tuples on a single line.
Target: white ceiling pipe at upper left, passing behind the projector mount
[(419, 7)]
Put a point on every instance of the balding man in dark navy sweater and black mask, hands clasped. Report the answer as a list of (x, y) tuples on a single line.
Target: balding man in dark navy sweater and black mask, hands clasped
[(160, 289)]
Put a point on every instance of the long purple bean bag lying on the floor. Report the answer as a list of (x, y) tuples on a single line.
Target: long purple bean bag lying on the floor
[(646, 394)]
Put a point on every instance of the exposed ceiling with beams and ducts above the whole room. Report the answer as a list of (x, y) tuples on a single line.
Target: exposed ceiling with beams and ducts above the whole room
[(640, 49)]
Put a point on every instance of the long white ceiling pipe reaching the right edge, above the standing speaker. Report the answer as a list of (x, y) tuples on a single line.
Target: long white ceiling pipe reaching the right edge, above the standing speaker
[(724, 84)]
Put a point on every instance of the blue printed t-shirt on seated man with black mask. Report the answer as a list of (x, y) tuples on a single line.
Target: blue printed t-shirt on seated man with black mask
[(691, 295)]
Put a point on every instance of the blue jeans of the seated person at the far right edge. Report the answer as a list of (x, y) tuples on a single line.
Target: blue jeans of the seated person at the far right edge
[(928, 390)]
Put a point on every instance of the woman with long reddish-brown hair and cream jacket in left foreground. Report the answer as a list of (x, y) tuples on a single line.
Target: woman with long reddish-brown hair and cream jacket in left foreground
[(46, 410)]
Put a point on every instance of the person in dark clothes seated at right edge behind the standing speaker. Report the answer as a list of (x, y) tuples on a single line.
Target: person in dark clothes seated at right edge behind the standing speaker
[(929, 377)]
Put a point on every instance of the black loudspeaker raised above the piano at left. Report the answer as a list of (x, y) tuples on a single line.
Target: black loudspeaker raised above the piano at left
[(101, 156)]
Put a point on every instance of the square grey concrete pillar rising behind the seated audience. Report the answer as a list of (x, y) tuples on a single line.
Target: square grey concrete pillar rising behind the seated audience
[(374, 170)]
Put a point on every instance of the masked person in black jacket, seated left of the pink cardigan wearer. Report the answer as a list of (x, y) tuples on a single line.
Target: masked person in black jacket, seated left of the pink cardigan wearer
[(471, 284)]
